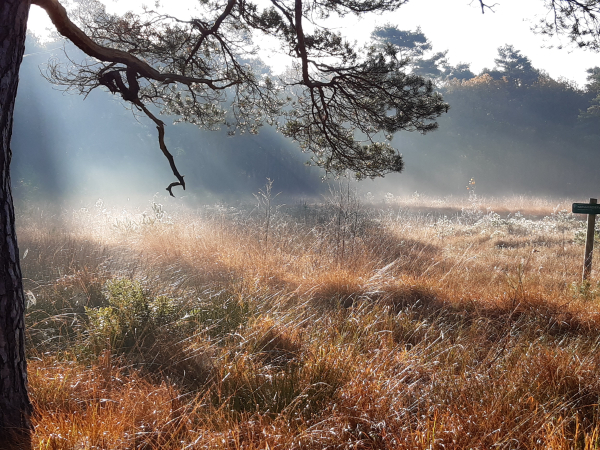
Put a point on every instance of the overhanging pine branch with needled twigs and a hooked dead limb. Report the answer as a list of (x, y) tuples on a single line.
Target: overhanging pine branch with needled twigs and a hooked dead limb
[(339, 102)]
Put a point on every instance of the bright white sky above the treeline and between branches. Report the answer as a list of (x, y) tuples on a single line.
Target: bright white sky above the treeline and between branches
[(454, 25)]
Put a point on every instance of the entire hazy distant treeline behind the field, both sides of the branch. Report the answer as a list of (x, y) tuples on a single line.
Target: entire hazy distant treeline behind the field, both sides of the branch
[(512, 128)]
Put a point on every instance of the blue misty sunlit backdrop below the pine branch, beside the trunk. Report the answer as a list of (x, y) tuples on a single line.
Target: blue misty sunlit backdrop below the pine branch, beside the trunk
[(75, 149)]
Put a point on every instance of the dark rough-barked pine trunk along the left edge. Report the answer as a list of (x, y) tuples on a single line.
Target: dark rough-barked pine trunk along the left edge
[(15, 408)]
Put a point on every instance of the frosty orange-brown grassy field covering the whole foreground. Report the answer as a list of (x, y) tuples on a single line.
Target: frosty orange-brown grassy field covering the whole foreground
[(415, 323)]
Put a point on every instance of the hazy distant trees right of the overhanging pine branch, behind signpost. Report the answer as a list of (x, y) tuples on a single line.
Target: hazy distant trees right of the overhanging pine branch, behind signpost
[(512, 128)]
